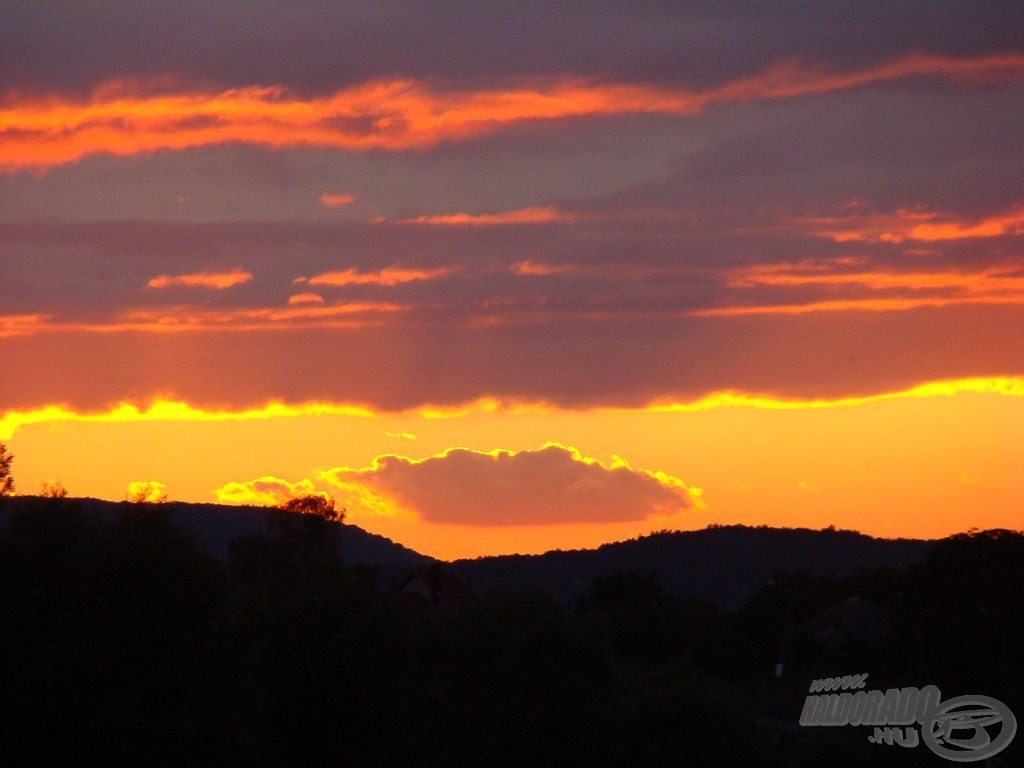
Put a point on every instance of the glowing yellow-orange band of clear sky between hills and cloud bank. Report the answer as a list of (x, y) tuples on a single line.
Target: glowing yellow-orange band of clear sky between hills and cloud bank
[(949, 448)]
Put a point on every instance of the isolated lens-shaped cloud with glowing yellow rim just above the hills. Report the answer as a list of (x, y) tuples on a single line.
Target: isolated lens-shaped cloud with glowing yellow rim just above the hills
[(550, 486)]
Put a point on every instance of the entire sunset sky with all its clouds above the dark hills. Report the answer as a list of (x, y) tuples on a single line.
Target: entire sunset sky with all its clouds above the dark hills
[(510, 278)]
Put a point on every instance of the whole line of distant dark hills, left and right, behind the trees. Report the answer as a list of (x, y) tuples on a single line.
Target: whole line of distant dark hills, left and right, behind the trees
[(721, 565)]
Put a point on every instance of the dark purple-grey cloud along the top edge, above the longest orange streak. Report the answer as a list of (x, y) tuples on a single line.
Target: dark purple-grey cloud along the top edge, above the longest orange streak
[(316, 47)]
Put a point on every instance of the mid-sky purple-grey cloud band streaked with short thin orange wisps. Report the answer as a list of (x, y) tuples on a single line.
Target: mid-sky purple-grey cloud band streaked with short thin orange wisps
[(604, 268)]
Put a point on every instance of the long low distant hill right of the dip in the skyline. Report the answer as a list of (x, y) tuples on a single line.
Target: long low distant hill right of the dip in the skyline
[(721, 565)]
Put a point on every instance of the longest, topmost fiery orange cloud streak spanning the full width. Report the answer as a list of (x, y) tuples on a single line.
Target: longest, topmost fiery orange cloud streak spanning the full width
[(402, 115)]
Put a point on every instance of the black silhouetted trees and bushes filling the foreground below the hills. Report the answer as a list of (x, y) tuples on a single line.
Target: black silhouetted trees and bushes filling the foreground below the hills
[(123, 642)]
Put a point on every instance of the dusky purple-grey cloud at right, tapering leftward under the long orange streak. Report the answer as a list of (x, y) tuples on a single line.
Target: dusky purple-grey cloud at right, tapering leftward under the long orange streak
[(889, 149)]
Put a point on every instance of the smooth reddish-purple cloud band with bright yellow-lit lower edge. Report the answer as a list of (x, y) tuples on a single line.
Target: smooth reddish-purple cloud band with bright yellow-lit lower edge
[(574, 363)]
